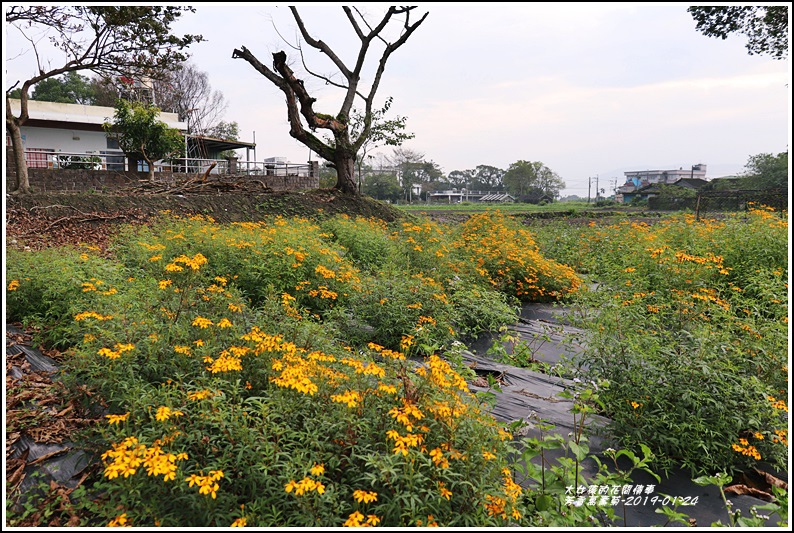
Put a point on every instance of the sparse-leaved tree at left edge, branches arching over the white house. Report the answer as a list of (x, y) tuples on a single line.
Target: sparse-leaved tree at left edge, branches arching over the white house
[(108, 40)]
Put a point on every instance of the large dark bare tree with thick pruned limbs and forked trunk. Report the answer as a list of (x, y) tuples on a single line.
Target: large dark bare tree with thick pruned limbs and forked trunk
[(304, 120)]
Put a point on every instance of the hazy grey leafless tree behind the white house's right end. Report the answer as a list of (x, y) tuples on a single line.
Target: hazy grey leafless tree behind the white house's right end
[(187, 92)]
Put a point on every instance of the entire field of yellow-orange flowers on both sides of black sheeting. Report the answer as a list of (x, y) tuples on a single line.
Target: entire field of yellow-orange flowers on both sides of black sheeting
[(302, 373)]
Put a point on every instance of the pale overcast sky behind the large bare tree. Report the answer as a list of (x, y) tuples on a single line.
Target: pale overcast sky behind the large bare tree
[(587, 88)]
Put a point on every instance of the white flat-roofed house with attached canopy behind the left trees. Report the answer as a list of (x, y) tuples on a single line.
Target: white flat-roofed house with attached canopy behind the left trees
[(60, 135)]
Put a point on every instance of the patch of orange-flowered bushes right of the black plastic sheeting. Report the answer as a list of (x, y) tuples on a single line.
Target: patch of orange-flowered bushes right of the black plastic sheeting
[(691, 332)]
